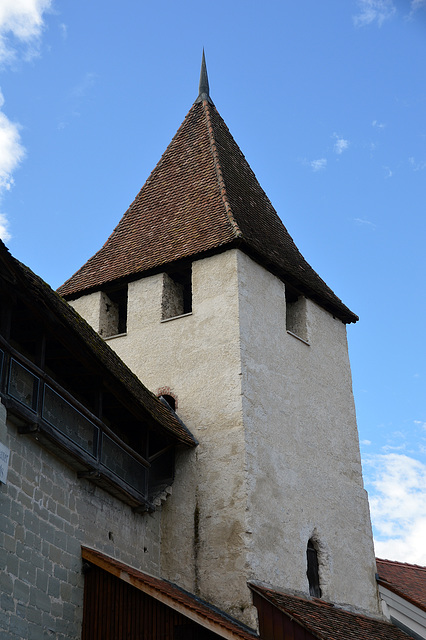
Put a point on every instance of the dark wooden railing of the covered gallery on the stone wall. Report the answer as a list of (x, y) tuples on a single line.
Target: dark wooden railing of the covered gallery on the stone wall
[(44, 409)]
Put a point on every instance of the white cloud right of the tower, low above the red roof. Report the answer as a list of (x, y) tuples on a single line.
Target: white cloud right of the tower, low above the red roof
[(397, 485)]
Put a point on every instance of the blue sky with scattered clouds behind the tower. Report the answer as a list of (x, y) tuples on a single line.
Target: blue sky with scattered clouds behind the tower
[(327, 100)]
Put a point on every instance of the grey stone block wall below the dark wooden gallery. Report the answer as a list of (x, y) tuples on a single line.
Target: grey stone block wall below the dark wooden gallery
[(46, 514)]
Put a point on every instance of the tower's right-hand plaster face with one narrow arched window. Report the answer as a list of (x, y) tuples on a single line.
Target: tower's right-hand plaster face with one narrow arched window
[(303, 462)]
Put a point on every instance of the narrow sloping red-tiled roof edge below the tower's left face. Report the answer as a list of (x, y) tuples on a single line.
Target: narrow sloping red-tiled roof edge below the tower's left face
[(173, 596)]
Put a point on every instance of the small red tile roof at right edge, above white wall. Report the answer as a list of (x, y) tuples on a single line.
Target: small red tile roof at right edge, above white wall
[(406, 580)]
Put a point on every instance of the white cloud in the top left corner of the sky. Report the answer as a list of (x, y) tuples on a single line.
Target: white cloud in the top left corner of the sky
[(21, 25)]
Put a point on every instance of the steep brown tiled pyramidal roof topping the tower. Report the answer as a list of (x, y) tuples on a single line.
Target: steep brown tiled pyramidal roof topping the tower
[(201, 198)]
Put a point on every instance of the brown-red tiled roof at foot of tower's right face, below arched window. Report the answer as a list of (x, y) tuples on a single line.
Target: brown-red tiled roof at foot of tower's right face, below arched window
[(327, 622)]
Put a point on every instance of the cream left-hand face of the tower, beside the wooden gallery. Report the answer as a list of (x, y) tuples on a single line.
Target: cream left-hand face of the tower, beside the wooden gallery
[(196, 357)]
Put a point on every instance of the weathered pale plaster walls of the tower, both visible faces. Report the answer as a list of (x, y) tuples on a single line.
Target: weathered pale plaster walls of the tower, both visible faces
[(278, 460)]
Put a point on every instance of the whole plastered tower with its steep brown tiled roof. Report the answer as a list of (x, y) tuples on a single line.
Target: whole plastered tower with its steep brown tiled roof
[(202, 292)]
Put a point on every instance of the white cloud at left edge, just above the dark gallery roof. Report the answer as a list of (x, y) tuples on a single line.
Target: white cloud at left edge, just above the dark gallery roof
[(11, 154)]
